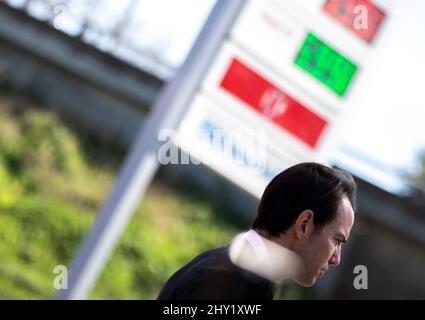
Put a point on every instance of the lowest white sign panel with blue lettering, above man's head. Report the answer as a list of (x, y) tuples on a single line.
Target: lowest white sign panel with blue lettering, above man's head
[(225, 144)]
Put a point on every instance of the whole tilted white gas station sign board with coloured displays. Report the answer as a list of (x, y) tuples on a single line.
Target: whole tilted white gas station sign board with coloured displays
[(278, 90)]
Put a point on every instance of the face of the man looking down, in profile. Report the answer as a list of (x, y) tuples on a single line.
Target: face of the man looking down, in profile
[(322, 249)]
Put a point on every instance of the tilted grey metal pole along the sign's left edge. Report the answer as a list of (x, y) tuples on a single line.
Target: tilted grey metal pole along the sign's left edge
[(142, 163)]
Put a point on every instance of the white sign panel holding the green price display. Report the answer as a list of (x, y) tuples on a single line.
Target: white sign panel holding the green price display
[(279, 39)]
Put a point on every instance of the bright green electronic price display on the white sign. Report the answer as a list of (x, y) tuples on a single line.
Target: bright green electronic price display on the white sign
[(325, 64)]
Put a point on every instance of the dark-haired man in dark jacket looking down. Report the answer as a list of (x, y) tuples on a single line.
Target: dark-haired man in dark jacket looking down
[(305, 215)]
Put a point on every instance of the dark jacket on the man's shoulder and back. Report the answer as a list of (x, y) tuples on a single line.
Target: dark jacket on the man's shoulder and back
[(213, 276)]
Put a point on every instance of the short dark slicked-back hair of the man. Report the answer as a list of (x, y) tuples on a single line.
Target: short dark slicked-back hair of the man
[(304, 186)]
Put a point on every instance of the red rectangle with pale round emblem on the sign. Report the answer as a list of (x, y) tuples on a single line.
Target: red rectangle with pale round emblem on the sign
[(272, 103)]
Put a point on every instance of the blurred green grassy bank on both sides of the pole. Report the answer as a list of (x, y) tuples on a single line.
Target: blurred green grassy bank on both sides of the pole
[(50, 192)]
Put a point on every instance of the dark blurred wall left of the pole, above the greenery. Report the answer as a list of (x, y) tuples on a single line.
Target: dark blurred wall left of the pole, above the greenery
[(90, 86)]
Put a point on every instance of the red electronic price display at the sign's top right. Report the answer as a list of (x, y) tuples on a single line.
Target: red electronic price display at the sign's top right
[(344, 12)]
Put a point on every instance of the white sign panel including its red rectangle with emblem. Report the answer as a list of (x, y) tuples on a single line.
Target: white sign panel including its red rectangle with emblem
[(242, 87)]
